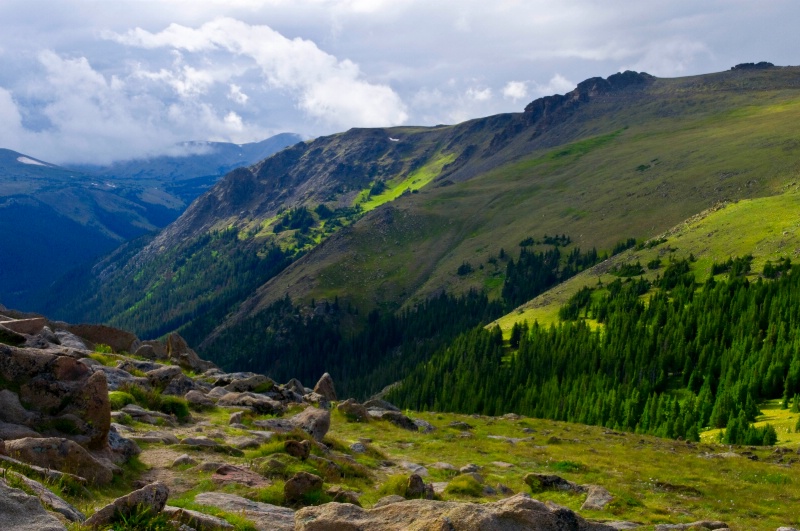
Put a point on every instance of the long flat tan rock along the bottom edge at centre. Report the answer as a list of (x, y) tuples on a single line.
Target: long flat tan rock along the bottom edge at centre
[(518, 513)]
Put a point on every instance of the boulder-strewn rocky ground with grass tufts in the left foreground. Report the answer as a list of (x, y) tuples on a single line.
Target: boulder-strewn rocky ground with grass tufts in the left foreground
[(77, 412)]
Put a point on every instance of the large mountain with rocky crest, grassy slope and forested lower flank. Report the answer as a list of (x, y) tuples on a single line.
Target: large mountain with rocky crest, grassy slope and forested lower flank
[(385, 219)]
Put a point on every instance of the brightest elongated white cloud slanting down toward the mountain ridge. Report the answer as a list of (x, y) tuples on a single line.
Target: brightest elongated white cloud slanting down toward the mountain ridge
[(323, 86)]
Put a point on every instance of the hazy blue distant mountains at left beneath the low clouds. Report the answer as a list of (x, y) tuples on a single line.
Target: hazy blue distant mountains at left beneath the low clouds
[(47, 210)]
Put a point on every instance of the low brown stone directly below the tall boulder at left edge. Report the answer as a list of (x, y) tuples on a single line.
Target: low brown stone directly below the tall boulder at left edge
[(60, 454)]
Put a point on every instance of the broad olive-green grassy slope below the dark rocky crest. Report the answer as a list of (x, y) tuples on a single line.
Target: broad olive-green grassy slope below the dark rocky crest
[(646, 167)]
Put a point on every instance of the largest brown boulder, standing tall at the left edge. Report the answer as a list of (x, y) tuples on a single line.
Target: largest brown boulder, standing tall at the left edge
[(65, 395)]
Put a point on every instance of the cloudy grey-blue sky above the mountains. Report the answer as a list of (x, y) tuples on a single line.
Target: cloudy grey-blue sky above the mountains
[(99, 80)]
